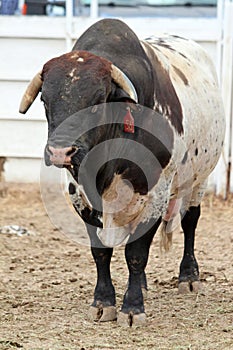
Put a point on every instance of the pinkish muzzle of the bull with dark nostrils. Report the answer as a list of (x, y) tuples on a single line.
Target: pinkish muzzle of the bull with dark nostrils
[(61, 156)]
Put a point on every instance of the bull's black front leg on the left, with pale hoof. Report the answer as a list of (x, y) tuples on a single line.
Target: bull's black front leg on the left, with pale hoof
[(103, 307)]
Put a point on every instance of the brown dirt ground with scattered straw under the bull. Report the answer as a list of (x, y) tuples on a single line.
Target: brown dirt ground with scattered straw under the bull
[(47, 283)]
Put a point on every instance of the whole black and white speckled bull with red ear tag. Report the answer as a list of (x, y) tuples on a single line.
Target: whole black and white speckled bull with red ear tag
[(164, 128)]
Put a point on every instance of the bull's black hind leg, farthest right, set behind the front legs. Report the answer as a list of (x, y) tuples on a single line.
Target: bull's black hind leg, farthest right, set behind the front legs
[(189, 273)]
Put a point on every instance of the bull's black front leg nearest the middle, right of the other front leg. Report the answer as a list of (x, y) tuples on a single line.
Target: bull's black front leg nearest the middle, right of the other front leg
[(136, 253)]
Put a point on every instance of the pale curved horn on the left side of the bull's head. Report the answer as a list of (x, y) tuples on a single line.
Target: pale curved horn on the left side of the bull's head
[(31, 93)]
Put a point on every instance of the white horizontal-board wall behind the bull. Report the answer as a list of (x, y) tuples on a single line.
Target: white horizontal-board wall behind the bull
[(26, 44)]
